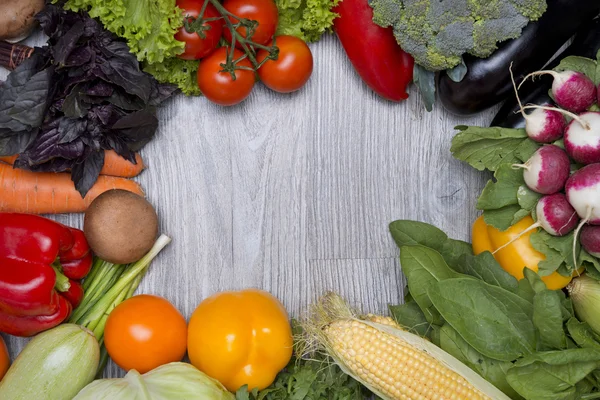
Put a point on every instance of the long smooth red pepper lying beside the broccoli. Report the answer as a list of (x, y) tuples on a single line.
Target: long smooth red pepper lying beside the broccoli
[(373, 50)]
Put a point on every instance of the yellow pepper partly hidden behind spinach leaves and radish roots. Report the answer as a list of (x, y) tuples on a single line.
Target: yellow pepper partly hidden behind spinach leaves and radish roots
[(517, 255)]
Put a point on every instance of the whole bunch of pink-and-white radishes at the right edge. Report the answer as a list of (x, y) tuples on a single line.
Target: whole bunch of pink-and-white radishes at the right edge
[(570, 201)]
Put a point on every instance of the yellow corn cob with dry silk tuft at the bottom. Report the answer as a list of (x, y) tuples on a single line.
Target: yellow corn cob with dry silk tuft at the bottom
[(393, 363)]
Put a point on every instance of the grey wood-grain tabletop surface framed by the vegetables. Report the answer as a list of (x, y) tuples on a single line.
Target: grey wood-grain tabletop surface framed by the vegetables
[(294, 193)]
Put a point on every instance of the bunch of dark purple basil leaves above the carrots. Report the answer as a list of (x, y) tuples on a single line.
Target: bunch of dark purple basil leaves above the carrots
[(79, 95)]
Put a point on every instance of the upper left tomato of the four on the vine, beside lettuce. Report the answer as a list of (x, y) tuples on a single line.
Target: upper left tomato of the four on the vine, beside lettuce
[(197, 47)]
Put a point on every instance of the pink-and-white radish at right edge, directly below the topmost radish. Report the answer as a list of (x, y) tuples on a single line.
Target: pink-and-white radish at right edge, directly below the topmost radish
[(582, 140)]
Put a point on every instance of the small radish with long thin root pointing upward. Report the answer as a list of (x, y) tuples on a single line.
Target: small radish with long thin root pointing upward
[(542, 125)]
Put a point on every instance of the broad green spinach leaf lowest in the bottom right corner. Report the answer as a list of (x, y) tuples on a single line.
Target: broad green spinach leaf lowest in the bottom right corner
[(553, 374)]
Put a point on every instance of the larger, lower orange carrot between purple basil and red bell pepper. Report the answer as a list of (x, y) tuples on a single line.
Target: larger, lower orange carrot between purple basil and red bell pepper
[(51, 193)]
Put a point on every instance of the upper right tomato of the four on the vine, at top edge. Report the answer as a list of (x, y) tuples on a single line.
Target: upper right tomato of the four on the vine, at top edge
[(262, 11)]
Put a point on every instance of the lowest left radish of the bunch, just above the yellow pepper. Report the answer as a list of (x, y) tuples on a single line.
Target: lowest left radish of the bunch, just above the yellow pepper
[(555, 215)]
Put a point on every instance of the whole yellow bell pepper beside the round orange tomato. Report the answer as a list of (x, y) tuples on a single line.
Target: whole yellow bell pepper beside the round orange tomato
[(240, 338)]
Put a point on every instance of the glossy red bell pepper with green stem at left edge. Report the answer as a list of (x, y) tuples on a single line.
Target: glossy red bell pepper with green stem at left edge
[(41, 263)]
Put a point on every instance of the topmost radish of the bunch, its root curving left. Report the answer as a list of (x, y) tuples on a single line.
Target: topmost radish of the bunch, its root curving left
[(571, 90)]
